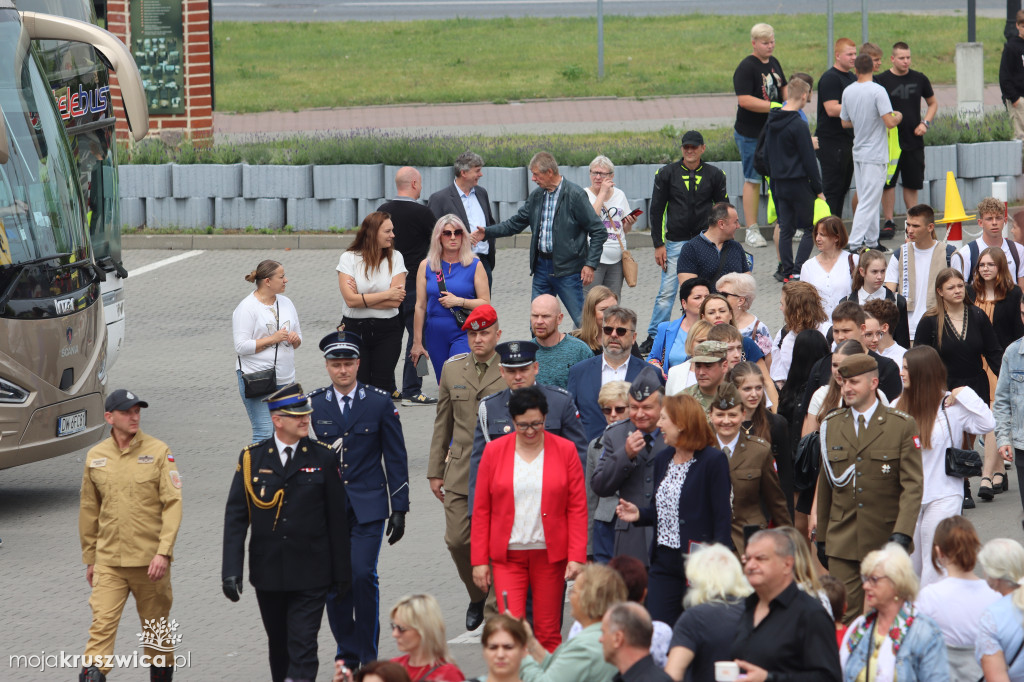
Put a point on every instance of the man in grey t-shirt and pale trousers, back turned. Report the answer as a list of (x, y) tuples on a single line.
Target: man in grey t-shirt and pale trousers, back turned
[(868, 110)]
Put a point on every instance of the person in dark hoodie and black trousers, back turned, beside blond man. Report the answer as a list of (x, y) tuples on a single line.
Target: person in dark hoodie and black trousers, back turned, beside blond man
[(795, 177)]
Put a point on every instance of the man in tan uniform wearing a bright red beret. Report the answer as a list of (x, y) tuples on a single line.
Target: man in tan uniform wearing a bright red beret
[(465, 380)]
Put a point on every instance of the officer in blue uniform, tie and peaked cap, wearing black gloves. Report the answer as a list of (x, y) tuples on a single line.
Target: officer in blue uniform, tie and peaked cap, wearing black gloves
[(361, 423)]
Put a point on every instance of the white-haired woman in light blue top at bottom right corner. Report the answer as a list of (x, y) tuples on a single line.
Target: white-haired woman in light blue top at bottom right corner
[(1001, 636)]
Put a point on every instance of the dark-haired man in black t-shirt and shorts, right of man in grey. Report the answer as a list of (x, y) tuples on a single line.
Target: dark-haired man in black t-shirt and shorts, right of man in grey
[(907, 89)]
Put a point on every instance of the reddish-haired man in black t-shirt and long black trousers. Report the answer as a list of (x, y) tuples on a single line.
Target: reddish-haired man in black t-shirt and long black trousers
[(836, 143)]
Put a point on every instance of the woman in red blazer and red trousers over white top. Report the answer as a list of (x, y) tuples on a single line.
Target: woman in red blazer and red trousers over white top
[(530, 518)]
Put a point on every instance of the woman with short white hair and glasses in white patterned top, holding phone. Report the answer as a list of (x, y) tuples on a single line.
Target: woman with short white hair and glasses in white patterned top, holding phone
[(610, 203)]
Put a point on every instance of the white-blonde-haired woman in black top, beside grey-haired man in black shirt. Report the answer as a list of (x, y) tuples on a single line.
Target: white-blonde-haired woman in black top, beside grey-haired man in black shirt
[(714, 603)]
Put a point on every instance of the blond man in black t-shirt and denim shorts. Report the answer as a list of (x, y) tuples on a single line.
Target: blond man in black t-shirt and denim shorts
[(758, 82)]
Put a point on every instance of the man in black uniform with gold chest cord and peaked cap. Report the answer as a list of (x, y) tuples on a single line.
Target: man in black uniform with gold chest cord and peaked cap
[(289, 490)]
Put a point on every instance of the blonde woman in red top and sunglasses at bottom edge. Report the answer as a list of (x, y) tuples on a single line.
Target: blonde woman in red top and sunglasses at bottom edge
[(418, 629)]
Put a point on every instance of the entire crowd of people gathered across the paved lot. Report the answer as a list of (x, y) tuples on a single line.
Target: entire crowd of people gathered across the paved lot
[(720, 502)]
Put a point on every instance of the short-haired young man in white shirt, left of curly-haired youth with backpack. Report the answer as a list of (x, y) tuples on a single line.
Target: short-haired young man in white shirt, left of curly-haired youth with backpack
[(914, 268)]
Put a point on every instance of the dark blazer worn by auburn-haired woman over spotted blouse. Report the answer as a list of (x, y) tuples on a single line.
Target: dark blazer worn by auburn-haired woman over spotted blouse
[(705, 504)]
